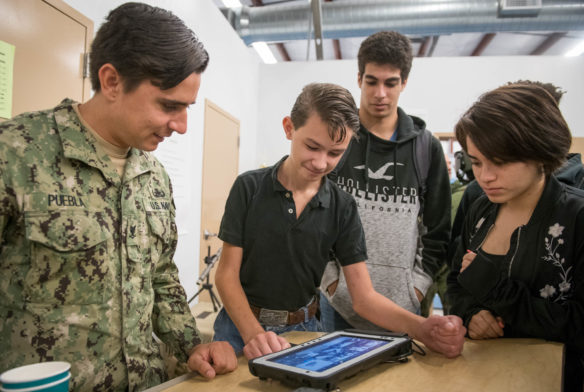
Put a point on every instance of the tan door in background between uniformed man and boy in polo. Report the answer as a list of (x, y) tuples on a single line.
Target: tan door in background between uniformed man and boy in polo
[(220, 163)]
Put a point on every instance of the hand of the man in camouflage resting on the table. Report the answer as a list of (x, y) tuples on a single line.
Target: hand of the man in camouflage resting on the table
[(213, 358)]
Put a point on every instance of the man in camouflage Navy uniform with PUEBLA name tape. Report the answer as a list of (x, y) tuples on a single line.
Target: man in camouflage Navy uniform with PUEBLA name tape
[(87, 216)]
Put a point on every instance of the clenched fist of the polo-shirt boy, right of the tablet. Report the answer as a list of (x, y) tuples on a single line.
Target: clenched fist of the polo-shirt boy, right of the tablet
[(443, 334)]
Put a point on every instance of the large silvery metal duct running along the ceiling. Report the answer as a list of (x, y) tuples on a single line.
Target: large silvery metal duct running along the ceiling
[(360, 18)]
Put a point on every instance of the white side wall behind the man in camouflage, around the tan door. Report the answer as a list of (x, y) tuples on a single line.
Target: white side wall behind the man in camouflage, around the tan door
[(230, 81)]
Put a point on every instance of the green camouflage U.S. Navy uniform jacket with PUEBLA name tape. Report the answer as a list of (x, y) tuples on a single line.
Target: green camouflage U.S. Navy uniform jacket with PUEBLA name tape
[(86, 257)]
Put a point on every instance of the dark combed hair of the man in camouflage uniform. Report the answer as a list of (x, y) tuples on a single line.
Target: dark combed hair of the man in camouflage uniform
[(146, 43)]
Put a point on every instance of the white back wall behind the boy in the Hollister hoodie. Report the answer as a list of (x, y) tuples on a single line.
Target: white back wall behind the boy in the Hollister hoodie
[(439, 89)]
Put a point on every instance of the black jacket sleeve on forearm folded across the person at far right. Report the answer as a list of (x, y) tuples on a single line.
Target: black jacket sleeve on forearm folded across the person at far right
[(528, 314)]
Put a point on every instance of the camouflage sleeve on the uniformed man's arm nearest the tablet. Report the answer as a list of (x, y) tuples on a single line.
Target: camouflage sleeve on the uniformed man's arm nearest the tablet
[(172, 319)]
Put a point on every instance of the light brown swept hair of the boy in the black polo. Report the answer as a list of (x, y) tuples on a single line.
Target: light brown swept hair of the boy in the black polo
[(334, 105)]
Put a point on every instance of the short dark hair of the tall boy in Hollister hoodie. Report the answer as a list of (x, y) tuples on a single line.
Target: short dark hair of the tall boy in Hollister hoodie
[(386, 47)]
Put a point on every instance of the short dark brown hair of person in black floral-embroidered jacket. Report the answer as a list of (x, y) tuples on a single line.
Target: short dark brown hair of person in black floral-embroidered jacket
[(518, 122)]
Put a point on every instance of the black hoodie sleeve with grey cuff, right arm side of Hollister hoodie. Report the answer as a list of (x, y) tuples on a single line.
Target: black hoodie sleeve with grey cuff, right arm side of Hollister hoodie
[(435, 221)]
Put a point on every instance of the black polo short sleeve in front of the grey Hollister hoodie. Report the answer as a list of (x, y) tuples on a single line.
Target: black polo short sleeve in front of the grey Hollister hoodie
[(350, 246)]
